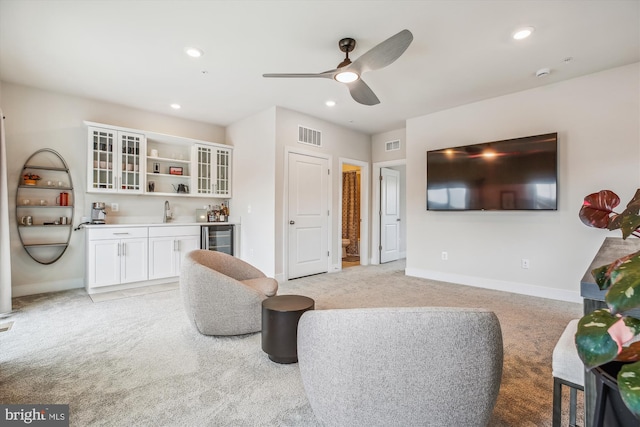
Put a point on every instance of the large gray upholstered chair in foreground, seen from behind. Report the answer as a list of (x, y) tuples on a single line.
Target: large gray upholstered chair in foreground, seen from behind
[(401, 366)]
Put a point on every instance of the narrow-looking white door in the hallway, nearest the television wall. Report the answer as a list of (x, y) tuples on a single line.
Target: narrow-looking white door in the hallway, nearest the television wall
[(389, 215)]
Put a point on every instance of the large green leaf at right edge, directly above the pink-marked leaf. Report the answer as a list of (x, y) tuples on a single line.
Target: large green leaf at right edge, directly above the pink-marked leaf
[(624, 278)]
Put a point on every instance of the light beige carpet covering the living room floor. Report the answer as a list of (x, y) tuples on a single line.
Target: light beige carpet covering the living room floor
[(136, 361)]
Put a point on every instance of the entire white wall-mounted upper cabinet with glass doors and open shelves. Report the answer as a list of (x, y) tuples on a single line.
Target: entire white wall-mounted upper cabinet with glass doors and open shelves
[(129, 161)]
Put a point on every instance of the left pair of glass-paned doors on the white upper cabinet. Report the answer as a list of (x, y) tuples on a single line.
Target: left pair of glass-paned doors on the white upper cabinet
[(114, 161)]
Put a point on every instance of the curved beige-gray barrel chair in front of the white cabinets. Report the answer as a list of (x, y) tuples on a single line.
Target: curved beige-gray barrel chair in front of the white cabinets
[(222, 294)]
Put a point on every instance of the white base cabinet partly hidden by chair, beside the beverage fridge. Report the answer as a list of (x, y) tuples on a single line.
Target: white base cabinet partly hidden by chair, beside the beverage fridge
[(167, 247)]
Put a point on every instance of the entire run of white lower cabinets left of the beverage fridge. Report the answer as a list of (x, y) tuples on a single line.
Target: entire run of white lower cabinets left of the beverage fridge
[(121, 255)]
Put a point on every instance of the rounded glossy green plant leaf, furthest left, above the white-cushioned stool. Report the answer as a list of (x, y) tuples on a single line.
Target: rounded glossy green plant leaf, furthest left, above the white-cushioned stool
[(593, 342)]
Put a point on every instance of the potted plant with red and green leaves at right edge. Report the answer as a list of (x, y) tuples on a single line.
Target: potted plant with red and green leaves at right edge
[(607, 335)]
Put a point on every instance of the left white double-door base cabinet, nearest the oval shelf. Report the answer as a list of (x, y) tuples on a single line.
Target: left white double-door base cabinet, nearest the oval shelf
[(116, 256)]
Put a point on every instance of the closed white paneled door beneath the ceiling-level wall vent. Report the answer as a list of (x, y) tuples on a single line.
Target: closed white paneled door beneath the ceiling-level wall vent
[(308, 213)]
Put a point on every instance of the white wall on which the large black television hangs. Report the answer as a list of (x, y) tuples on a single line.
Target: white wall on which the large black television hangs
[(597, 118)]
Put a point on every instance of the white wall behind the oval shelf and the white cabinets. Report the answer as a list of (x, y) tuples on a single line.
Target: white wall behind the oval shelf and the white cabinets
[(38, 119)]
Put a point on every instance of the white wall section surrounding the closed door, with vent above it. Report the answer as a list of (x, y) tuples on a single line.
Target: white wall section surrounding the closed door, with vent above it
[(337, 142)]
